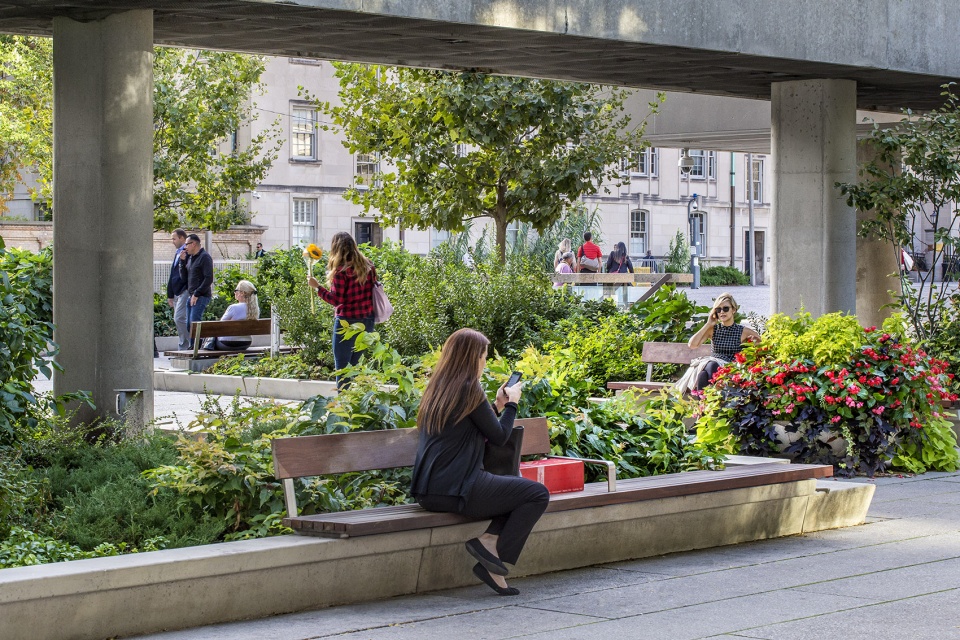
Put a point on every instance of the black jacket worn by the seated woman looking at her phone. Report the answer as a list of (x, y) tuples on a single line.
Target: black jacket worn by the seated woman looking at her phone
[(449, 462)]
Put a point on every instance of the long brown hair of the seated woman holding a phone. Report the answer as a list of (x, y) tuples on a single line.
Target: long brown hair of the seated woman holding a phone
[(454, 388)]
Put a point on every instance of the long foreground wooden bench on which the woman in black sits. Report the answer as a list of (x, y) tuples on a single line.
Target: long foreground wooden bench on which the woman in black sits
[(308, 456)]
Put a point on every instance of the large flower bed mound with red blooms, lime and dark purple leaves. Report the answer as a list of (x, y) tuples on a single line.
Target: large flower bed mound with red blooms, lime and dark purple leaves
[(810, 382)]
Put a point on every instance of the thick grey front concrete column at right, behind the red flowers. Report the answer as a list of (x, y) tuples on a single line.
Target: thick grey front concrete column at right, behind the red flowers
[(813, 135)]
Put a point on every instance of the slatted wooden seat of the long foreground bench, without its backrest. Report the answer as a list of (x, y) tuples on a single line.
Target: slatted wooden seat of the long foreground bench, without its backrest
[(411, 516)]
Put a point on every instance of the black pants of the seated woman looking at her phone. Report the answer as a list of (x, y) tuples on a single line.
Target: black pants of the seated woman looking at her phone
[(514, 505)]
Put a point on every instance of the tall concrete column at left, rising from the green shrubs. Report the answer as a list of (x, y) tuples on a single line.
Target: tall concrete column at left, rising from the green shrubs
[(103, 218)]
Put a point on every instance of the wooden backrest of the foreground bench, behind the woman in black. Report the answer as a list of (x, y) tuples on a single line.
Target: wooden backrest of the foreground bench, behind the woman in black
[(307, 456)]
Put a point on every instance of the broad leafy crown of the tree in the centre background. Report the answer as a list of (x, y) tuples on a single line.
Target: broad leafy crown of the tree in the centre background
[(462, 146)]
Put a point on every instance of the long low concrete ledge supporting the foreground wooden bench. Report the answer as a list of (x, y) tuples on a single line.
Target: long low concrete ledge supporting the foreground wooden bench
[(182, 588)]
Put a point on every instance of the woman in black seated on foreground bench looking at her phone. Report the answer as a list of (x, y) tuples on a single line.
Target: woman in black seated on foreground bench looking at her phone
[(455, 421)]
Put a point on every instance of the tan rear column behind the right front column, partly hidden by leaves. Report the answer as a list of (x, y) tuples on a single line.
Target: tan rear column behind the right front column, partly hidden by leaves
[(877, 264)]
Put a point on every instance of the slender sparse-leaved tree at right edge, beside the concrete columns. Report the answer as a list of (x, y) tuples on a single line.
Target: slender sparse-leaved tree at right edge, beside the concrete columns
[(913, 185)]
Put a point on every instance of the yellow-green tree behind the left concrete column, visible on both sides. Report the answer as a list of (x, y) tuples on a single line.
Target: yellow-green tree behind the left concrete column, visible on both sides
[(201, 100)]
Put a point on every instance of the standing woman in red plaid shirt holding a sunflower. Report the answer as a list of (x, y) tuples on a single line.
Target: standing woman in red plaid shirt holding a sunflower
[(350, 280)]
